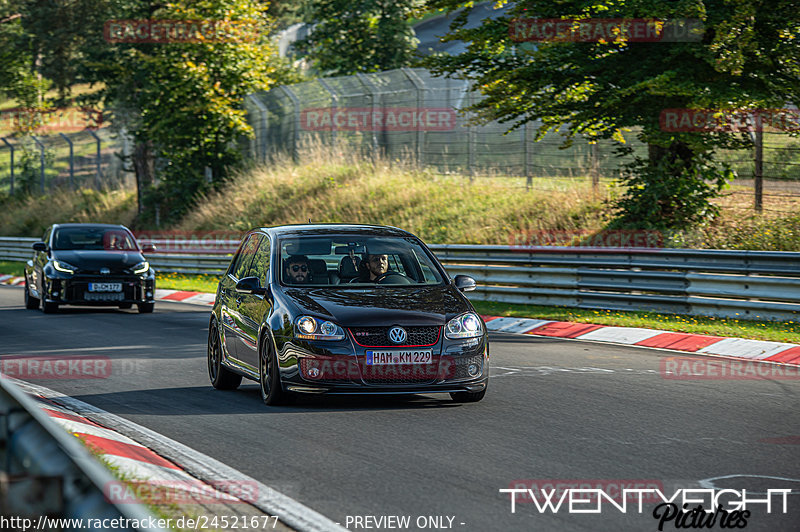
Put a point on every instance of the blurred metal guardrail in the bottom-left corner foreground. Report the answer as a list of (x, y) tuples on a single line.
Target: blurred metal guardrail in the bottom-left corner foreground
[(48, 474)]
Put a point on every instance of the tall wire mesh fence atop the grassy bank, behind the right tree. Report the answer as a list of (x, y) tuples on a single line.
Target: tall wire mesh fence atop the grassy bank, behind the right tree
[(409, 115)]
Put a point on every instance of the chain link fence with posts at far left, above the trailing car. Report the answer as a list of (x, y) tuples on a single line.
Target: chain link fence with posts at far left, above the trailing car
[(83, 159)]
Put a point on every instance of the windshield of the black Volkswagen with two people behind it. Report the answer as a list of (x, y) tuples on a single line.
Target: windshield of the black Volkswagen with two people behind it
[(352, 261)]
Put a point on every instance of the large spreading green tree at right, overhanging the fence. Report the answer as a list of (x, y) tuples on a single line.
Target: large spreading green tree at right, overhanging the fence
[(748, 57)]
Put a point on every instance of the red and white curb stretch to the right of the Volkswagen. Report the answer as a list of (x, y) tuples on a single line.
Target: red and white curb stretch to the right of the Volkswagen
[(693, 343)]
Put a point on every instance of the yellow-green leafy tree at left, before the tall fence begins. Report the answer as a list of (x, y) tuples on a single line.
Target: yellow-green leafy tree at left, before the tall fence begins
[(183, 101)]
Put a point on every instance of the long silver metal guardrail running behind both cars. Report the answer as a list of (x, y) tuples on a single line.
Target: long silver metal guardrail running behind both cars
[(736, 284)]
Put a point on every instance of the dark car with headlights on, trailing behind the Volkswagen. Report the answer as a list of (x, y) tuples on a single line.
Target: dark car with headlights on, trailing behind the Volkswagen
[(89, 264)]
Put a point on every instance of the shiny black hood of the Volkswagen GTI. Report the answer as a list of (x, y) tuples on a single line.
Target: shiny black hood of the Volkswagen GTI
[(380, 306)]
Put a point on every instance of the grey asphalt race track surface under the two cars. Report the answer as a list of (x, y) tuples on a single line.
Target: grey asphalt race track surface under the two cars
[(556, 410)]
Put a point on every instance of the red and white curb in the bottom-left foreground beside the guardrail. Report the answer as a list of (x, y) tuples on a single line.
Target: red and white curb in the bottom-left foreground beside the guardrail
[(175, 466)]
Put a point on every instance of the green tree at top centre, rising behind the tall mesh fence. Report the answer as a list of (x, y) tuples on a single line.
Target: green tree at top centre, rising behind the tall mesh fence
[(351, 36)]
